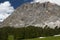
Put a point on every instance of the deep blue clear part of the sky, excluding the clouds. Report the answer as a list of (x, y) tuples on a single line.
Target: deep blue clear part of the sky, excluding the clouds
[(16, 3)]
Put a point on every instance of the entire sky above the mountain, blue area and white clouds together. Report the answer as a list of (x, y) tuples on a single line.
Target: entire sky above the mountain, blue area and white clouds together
[(8, 6)]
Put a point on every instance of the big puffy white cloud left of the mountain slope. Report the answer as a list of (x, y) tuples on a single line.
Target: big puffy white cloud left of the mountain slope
[(5, 10)]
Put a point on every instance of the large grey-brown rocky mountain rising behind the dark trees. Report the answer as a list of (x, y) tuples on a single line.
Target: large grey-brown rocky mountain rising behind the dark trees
[(36, 14)]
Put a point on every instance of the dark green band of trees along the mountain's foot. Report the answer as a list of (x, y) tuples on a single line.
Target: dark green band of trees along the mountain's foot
[(27, 32)]
